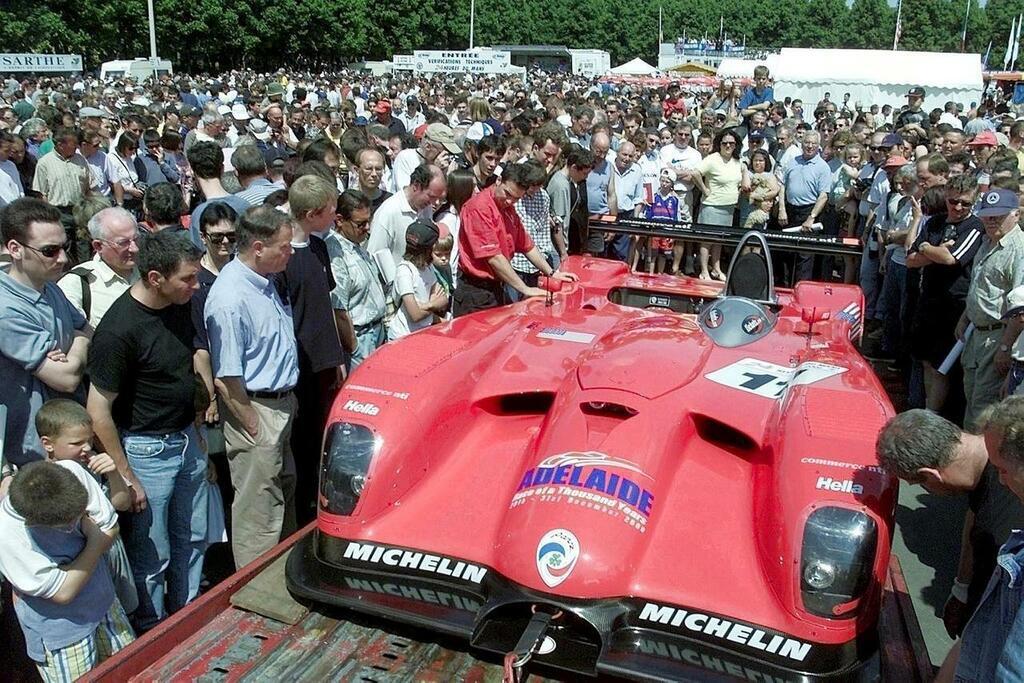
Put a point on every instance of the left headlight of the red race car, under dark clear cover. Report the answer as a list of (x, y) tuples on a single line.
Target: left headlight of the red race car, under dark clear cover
[(348, 452)]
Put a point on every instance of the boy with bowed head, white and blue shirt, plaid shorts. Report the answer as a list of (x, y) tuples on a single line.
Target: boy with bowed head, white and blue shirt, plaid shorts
[(56, 526)]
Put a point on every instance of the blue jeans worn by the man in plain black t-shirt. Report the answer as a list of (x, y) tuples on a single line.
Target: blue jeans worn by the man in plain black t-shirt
[(166, 542)]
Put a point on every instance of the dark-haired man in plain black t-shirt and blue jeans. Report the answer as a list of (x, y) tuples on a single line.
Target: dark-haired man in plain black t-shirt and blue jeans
[(143, 405)]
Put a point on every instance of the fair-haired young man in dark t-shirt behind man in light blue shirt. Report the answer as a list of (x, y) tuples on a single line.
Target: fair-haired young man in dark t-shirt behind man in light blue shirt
[(308, 283)]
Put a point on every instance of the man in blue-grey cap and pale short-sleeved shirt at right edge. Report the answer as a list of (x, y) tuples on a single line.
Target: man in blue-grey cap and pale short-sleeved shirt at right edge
[(999, 268)]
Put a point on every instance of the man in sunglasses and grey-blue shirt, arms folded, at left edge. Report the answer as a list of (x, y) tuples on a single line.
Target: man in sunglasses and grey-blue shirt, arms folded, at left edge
[(44, 339)]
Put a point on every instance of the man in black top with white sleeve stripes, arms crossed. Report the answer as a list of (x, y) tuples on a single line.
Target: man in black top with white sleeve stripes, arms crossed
[(945, 250)]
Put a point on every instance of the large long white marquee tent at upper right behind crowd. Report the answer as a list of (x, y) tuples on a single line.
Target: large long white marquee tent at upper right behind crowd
[(877, 77)]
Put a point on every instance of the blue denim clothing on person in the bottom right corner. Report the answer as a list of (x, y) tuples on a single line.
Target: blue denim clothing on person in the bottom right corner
[(992, 650)]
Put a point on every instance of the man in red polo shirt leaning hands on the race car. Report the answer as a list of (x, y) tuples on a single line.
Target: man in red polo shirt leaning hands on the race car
[(490, 235)]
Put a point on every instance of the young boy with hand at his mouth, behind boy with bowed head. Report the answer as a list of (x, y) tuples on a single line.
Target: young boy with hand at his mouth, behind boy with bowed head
[(66, 432)]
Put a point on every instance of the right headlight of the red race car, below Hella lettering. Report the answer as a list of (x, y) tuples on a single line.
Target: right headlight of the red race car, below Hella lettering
[(836, 562)]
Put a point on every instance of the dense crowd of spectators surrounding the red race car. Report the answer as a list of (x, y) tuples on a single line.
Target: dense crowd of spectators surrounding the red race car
[(192, 268)]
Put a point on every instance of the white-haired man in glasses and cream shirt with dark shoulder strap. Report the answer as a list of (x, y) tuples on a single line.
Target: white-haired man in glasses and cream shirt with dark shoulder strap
[(94, 286)]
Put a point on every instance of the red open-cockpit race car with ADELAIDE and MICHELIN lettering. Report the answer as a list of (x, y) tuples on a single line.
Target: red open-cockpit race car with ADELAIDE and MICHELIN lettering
[(643, 477)]
